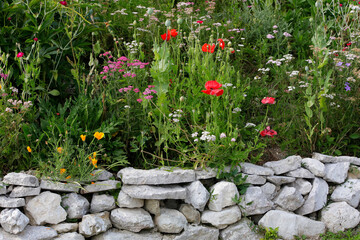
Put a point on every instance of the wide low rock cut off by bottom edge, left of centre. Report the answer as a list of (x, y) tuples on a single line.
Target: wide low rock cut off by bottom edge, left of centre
[(115, 234)]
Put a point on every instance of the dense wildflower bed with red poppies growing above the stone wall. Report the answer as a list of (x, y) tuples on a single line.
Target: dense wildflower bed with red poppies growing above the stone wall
[(88, 84)]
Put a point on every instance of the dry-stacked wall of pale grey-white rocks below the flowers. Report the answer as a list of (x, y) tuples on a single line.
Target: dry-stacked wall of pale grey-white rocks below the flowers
[(292, 194)]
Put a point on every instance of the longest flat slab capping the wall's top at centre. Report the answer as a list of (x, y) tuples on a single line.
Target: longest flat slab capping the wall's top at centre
[(155, 176)]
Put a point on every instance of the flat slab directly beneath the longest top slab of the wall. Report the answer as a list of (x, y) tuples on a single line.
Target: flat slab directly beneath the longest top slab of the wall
[(155, 192)]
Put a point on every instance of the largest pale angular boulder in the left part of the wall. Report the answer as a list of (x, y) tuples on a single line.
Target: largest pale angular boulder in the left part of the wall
[(45, 208)]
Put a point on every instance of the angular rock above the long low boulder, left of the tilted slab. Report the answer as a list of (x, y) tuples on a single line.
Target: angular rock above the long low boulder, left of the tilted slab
[(289, 198)]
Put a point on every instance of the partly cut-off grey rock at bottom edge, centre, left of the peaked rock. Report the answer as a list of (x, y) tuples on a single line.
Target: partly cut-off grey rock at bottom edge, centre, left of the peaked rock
[(198, 233)]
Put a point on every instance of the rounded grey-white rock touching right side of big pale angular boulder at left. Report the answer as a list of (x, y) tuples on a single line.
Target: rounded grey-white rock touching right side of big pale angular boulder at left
[(76, 205)]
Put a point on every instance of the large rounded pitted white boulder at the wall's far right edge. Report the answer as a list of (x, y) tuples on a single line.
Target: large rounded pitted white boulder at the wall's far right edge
[(340, 216)]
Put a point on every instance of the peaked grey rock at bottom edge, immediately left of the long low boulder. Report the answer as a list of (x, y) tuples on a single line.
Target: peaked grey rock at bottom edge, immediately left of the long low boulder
[(241, 230)]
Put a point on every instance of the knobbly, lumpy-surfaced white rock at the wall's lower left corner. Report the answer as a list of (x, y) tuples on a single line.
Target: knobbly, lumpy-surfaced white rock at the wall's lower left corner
[(13, 220)]
